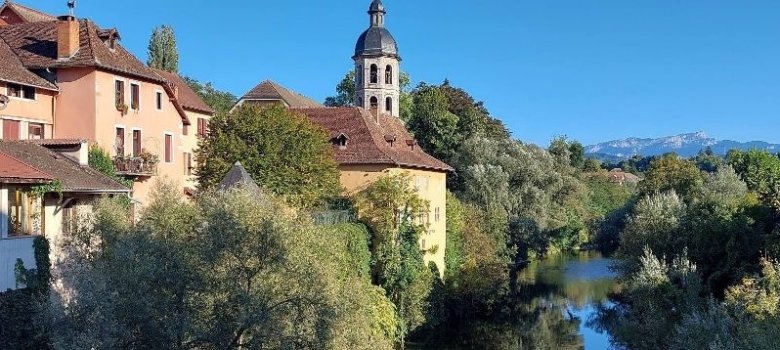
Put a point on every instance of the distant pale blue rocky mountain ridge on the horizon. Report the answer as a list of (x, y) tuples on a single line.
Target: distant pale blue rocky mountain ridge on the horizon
[(686, 145)]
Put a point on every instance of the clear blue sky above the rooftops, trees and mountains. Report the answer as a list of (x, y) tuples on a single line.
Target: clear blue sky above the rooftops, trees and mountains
[(593, 70)]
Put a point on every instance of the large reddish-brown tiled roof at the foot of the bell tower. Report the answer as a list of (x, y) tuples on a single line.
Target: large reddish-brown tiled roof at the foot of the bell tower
[(368, 140)]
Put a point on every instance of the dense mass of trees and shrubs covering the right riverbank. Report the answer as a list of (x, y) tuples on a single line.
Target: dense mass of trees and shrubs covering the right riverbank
[(697, 257)]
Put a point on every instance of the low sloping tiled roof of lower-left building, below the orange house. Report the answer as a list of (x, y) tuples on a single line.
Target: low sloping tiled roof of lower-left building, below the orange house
[(73, 176)]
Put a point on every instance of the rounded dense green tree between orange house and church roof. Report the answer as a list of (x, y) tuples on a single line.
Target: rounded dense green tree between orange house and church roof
[(283, 151)]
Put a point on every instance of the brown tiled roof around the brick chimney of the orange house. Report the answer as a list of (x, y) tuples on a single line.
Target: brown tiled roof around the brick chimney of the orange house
[(36, 46)]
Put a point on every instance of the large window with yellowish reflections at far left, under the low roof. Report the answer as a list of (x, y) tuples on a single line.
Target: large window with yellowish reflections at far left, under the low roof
[(23, 218)]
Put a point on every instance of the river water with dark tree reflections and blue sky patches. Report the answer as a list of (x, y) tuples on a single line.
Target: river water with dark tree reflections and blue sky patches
[(554, 300)]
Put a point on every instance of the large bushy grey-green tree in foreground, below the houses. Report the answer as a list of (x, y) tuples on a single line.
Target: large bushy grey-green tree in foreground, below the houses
[(236, 270)]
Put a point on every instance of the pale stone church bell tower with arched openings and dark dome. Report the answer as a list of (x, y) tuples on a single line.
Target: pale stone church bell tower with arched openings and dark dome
[(377, 74)]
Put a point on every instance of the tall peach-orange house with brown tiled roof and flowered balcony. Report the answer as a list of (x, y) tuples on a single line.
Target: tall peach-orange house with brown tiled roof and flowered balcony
[(87, 86)]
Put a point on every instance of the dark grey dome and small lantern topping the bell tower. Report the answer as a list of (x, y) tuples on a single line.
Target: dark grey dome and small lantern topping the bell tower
[(376, 40)]
